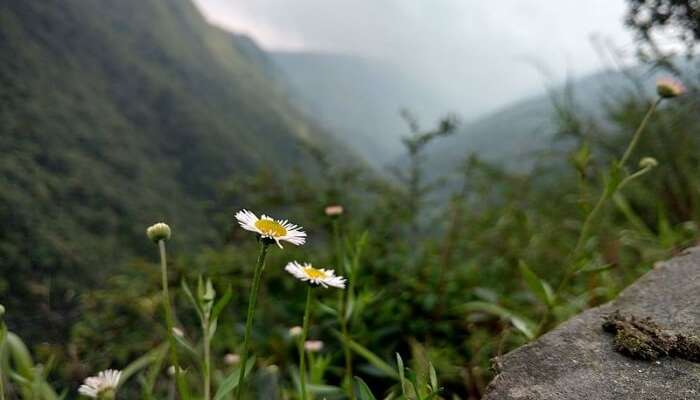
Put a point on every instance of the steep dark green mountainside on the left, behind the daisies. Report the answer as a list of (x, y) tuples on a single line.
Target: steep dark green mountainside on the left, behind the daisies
[(114, 115)]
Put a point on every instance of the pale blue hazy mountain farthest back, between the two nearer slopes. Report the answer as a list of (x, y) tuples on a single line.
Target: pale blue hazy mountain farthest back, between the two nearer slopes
[(359, 99)]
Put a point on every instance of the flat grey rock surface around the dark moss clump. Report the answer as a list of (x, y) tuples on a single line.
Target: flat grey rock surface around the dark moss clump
[(577, 360)]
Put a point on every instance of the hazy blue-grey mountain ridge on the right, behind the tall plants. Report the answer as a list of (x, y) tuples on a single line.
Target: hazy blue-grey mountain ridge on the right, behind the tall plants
[(516, 133)]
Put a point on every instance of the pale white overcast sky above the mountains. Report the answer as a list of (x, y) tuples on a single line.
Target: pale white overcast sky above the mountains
[(480, 54)]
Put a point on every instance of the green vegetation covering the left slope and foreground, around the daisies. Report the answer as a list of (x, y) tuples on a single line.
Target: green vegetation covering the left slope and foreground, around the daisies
[(119, 114)]
